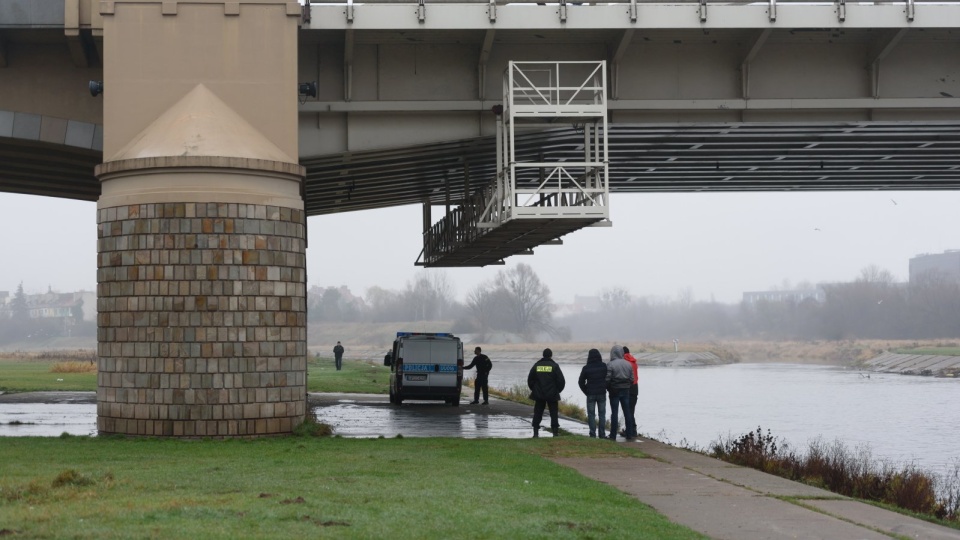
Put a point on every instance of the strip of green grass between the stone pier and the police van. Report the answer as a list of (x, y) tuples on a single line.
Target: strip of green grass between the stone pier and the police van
[(355, 377)]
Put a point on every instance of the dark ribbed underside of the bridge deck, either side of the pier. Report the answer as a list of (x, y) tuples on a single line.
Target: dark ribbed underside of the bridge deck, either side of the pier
[(643, 158)]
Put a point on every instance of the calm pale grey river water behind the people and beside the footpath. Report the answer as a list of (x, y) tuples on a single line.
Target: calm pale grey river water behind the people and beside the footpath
[(901, 418)]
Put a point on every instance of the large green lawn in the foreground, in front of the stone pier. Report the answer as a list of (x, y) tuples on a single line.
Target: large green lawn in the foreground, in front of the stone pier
[(313, 487)]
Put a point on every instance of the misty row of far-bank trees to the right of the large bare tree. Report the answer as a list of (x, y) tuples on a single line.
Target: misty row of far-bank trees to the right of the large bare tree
[(872, 306)]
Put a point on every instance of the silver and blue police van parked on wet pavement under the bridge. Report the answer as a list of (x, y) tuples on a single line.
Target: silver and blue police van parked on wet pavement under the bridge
[(426, 366)]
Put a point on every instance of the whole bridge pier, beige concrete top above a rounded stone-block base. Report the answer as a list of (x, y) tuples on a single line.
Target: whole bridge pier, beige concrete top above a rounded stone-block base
[(201, 228)]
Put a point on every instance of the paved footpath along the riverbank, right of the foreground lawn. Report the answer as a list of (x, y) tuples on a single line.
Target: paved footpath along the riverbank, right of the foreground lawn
[(727, 501)]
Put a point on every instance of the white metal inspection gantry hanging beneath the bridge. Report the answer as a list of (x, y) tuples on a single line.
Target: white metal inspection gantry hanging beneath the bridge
[(536, 196)]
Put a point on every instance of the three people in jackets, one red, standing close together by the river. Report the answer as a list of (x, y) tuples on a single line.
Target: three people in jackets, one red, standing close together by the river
[(616, 380)]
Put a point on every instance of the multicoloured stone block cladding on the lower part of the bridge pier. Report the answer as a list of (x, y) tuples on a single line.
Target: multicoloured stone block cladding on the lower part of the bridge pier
[(202, 320)]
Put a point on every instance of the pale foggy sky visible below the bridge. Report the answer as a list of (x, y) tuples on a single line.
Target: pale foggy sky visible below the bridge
[(718, 245)]
